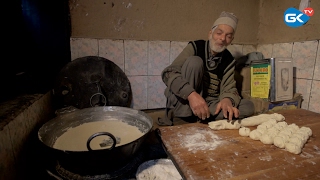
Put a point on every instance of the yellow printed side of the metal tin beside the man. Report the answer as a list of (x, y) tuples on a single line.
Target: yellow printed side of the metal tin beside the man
[(260, 80)]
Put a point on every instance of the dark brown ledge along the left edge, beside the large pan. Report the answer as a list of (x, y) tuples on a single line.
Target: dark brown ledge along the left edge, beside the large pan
[(20, 120)]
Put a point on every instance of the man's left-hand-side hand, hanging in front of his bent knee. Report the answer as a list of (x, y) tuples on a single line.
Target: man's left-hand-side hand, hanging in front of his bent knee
[(198, 106)]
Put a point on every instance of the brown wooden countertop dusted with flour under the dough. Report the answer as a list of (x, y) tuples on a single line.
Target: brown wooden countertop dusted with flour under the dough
[(201, 153)]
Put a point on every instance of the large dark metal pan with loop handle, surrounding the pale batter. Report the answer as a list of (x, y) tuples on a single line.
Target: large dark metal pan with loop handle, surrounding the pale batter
[(93, 162)]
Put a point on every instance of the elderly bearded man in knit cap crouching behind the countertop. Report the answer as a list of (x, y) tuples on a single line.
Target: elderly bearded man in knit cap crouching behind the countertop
[(200, 81)]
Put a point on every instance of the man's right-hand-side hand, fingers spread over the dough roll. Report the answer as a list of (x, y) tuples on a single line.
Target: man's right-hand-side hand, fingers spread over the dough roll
[(228, 110)]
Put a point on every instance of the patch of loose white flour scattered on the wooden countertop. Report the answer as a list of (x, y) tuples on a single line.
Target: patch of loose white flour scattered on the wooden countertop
[(201, 140)]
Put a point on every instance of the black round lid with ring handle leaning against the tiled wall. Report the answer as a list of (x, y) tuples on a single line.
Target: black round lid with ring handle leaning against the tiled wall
[(92, 81)]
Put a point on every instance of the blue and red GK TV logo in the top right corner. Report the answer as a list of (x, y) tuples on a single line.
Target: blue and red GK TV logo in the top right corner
[(295, 18)]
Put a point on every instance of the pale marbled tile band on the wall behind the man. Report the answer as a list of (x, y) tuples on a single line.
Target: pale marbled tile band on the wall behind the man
[(143, 61)]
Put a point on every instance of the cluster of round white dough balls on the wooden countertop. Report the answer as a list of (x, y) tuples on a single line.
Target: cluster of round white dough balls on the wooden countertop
[(290, 137)]
